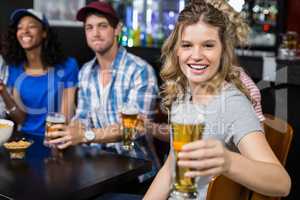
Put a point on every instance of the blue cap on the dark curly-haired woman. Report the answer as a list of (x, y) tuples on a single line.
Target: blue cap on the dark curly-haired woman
[(19, 13)]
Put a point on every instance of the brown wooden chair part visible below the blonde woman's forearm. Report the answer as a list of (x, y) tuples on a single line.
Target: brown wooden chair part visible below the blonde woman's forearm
[(224, 188)]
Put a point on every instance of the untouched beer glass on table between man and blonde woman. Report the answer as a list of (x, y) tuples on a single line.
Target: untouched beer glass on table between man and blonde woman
[(129, 115)]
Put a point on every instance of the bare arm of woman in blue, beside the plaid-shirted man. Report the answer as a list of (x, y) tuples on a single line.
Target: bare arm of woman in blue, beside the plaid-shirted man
[(68, 103)]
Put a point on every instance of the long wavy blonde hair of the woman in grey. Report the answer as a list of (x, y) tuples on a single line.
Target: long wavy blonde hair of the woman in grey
[(232, 31)]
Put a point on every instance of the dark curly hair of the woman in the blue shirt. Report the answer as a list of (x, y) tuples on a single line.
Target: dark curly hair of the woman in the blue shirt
[(13, 53)]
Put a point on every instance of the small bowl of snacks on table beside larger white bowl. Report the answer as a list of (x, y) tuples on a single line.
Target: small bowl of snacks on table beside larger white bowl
[(17, 149)]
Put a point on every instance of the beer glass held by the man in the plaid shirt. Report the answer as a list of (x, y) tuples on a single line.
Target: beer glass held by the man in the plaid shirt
[(54, 118)]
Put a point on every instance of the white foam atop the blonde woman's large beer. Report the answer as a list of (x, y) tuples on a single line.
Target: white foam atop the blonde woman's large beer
[(187, 113)]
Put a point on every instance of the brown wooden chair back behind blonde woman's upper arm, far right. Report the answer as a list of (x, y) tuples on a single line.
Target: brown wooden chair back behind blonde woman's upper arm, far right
[(279, 135)]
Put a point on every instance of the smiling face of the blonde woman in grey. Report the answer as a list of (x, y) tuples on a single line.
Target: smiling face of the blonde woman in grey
[(199, 57)]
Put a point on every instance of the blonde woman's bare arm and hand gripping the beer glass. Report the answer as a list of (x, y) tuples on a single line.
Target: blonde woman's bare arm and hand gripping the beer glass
[(256, 167)]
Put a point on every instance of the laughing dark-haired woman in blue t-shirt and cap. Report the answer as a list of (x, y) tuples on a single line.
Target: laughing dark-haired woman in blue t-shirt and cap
[(42, 79)]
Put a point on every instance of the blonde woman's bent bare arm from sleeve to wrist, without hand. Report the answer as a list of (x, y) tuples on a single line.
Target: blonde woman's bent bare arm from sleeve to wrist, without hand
[(258, 168)]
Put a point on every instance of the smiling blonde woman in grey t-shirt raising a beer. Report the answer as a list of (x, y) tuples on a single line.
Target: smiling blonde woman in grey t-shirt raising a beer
[(198, 67)]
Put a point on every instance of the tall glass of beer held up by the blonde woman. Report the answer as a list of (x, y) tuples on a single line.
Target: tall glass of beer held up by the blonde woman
[(187, 126)]
